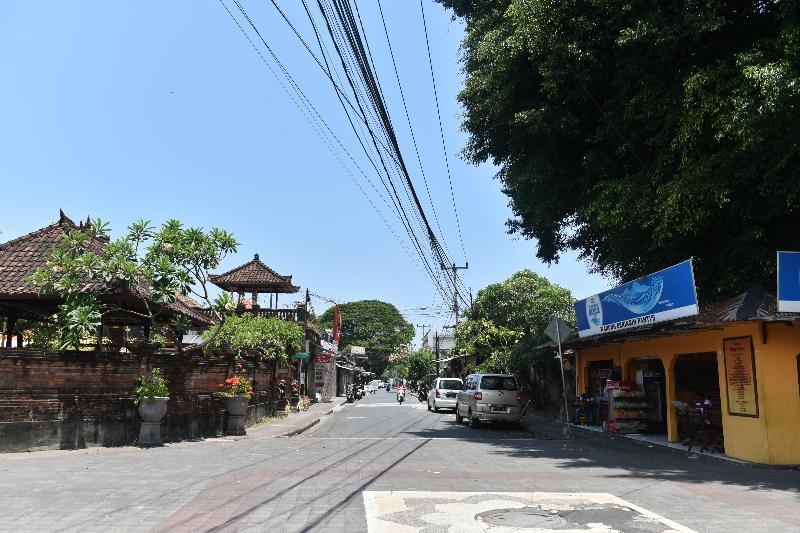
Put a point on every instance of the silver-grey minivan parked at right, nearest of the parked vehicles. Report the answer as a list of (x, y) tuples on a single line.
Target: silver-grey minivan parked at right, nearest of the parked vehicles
[(489, 398)]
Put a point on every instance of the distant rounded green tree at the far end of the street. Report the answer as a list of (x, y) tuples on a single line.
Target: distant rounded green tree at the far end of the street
[(376, 325)]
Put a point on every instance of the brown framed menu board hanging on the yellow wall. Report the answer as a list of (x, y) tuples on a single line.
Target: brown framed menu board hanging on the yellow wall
[(740, 376)]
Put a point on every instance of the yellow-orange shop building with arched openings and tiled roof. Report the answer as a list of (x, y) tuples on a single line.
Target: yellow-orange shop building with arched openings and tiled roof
[(741, 354)]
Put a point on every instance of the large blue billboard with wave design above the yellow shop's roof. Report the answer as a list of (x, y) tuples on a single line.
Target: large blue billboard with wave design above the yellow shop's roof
[(665, 295)]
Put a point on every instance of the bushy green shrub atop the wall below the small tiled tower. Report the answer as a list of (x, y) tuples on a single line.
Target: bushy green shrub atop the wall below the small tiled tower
[(269, 338)]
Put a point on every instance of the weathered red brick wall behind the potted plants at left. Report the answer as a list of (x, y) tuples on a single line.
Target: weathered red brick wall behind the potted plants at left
[(73, 399)]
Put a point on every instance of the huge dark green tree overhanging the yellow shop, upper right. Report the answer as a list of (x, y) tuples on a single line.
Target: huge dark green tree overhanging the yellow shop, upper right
[(641, 133)]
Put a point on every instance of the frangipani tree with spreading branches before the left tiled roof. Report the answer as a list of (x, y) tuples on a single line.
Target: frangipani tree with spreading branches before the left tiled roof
[(155, 265)]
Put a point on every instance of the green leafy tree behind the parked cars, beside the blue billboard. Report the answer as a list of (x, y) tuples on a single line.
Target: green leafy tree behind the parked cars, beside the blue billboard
[(509, 320)]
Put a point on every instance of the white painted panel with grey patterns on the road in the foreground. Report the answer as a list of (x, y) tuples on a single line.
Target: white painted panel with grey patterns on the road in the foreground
[(497, 512)]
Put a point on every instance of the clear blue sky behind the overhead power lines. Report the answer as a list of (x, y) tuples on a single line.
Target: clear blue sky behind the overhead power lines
[(149, 109)]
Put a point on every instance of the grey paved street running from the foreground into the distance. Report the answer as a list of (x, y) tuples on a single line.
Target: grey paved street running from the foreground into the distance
[(388, 467)]
